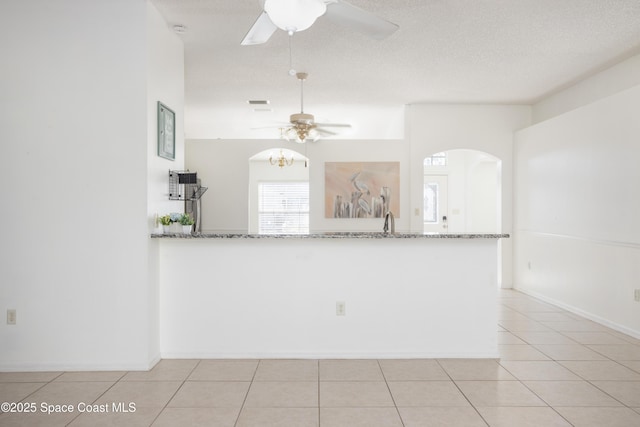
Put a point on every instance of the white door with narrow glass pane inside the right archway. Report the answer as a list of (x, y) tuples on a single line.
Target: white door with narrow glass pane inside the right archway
[(435, 210)]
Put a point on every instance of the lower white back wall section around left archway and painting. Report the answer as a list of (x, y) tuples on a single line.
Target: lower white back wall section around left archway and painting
[(223, 166)]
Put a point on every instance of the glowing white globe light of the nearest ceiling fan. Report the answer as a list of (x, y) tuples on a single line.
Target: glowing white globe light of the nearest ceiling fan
[(294, 15)]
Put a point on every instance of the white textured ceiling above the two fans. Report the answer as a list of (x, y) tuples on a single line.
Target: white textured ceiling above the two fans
[(446, 51)]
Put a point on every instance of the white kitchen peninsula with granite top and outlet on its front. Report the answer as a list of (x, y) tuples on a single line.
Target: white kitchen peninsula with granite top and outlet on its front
[(329, 295)]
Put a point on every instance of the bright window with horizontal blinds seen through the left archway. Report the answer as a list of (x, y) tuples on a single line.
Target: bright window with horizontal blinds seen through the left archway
[(283, 207)]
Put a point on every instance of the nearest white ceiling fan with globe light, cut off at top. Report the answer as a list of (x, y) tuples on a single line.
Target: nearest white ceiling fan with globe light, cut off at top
[(298, 15)]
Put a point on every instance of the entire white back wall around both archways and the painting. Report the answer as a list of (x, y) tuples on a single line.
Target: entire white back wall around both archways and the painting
[(223, 164)]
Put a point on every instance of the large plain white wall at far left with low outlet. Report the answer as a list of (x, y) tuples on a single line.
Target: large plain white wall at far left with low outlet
[(76, 264)]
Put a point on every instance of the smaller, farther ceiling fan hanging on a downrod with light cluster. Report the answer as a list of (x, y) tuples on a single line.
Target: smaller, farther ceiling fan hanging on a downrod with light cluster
[(303, 127)]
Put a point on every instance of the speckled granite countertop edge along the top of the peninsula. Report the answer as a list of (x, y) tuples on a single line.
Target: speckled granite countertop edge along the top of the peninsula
[(337, 235)]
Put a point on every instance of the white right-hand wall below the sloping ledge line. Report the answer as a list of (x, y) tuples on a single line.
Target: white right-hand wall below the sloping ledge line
[(577, 210)]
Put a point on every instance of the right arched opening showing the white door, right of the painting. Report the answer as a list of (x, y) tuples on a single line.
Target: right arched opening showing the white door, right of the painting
[(462, 192)]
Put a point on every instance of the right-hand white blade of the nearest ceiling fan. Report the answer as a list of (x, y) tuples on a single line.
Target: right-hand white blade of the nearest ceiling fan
[(360, 20)]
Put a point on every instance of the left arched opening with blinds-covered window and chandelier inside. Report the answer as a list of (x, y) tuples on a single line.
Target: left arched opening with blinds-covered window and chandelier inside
[(278, 192)]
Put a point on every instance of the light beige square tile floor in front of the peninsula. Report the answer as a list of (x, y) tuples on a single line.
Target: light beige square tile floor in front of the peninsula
[(556, 369)]
